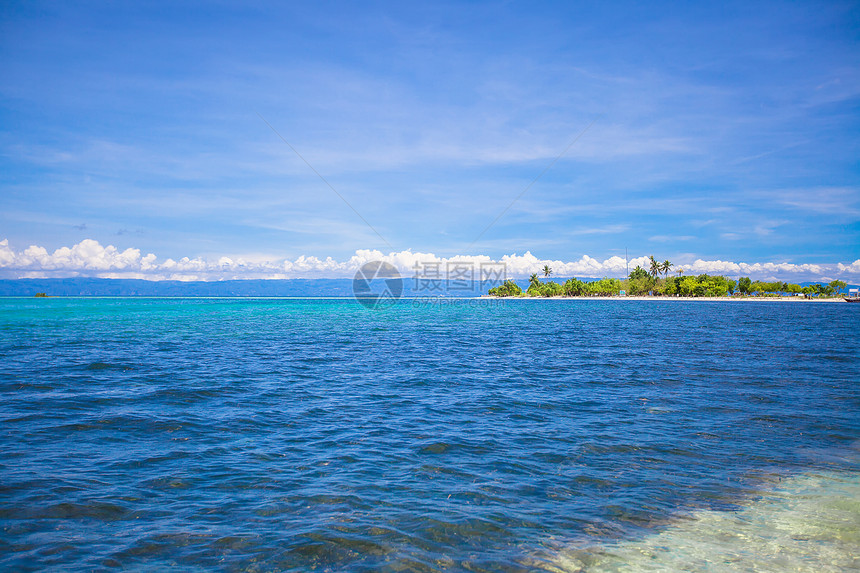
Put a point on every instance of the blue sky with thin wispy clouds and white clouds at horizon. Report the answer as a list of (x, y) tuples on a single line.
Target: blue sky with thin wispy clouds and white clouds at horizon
[(257, 139)]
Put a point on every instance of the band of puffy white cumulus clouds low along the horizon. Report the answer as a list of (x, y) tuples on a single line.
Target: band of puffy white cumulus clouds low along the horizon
[(90, 258)]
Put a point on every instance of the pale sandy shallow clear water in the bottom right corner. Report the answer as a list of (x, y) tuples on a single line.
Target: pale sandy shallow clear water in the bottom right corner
[(809, 523)]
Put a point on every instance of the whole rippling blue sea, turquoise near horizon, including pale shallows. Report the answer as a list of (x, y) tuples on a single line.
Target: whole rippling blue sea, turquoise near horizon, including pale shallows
[(476, 435)]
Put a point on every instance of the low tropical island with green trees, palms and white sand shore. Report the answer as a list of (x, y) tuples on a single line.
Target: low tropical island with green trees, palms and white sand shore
[(656, 282)]
